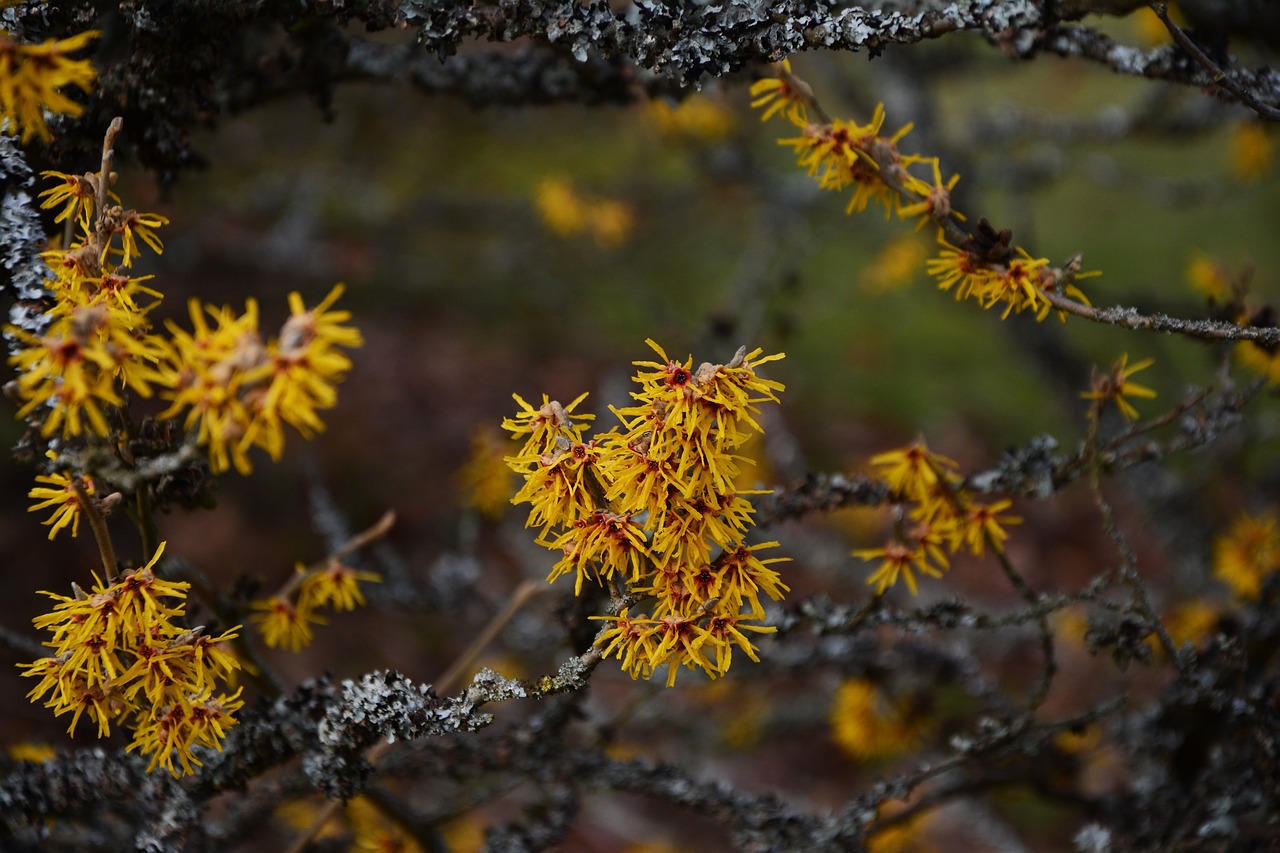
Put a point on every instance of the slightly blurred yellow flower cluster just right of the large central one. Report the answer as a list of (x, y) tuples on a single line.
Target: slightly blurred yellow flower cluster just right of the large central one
[(944, 518)]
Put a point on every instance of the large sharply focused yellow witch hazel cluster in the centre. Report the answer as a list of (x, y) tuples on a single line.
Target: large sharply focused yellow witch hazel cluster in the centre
[(652, 509)]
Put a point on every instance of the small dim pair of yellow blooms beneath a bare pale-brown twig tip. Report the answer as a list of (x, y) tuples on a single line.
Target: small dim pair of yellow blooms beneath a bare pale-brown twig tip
[(286, 619)]
